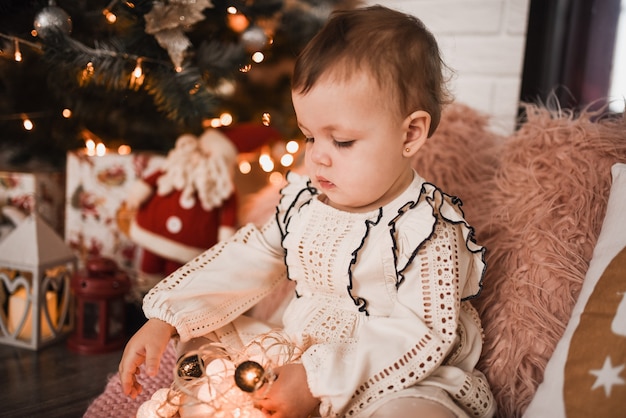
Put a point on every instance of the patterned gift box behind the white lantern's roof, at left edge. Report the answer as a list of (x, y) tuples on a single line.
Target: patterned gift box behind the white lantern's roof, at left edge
[(23, 192)]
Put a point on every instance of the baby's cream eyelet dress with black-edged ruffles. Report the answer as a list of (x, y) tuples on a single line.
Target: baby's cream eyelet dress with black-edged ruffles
[(380, 308)]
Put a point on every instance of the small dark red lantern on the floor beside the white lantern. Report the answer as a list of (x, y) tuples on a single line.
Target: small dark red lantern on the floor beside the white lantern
[(99, 292)]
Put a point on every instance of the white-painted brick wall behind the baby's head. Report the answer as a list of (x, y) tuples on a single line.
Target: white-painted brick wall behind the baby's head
[(483, 41)]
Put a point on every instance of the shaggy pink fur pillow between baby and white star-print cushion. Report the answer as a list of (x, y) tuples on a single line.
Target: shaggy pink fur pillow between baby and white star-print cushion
[(539, 217)]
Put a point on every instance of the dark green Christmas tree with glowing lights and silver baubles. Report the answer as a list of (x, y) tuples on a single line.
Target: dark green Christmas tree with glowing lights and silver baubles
[(143, 72)]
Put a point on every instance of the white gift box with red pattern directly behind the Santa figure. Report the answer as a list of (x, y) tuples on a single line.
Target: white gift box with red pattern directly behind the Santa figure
[(96, 217)]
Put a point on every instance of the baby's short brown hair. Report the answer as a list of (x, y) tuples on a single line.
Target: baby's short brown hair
[(396, 49)]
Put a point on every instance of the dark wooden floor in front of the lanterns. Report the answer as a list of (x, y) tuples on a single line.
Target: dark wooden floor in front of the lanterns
[(52, 382)]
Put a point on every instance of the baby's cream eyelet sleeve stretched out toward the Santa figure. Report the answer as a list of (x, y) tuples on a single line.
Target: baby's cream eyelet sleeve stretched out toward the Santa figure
[(228, 279)]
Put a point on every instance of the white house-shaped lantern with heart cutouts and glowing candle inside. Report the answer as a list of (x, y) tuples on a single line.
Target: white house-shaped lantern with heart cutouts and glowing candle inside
[(36, 267)]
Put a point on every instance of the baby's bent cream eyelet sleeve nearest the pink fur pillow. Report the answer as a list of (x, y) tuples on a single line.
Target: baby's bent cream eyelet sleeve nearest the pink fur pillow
[(403, 348)]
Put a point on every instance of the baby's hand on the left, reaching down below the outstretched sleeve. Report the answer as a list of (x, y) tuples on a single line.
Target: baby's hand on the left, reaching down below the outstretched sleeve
[(146, 346)]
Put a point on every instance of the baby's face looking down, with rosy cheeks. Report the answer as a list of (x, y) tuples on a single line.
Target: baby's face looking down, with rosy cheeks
[(355, 142)]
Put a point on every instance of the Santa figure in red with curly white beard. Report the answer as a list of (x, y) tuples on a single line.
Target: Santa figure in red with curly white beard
[(187, 205)]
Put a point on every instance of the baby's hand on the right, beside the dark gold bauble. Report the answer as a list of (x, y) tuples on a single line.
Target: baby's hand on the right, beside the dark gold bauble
[(289, 396)]
